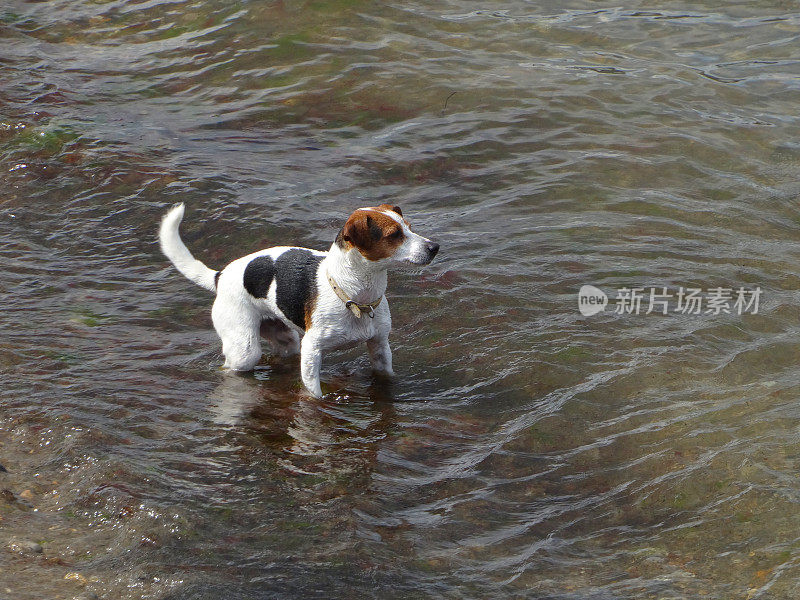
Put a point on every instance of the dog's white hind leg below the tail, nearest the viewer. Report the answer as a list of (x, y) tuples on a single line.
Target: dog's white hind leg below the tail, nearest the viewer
[(237, 325)]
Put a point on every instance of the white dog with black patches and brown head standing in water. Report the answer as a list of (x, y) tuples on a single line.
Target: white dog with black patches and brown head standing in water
[(305, 300)]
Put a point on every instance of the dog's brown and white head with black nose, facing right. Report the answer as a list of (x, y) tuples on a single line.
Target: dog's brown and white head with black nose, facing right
[(381, 235)]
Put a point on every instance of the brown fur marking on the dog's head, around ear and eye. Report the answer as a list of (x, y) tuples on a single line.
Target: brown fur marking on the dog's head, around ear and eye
[(372, 232)]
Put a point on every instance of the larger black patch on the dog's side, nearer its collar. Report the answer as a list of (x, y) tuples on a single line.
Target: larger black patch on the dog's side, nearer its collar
[(296, 273)]
